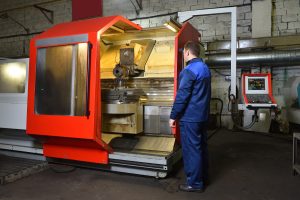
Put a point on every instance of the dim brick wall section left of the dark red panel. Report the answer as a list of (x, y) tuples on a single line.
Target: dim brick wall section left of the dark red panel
[(12, 45)]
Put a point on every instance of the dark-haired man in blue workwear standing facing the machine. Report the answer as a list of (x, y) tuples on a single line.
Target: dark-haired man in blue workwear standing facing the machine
[(191, 109)]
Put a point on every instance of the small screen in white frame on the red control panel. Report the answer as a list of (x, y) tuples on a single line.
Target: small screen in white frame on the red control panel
[(256, 85)]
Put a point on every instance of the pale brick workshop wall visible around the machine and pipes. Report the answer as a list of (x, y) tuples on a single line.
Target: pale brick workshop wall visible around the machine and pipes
[(285, 21)]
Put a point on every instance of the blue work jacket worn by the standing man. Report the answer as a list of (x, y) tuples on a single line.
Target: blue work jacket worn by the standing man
[(192, 101)]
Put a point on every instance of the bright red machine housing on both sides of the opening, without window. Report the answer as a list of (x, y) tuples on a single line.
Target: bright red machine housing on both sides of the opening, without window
[(79, 137)]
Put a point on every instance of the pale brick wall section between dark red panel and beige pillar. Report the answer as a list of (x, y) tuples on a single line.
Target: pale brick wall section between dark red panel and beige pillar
[(215, 27)]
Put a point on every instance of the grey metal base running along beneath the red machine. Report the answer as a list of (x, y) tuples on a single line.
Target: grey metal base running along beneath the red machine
[(125, 160)]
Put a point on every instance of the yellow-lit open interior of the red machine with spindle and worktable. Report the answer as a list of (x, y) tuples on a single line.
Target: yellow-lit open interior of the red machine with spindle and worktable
[(137, 84)]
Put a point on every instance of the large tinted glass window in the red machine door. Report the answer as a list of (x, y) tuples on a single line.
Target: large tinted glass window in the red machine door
[(61, 78)]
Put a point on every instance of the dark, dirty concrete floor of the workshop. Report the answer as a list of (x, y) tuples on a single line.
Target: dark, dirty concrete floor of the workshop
[(243, 166)]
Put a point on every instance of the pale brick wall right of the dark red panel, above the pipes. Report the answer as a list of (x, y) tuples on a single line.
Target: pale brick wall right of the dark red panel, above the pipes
[(285, 15)]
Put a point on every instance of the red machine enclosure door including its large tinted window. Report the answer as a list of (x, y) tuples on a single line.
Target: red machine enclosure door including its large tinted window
[(64, 84)]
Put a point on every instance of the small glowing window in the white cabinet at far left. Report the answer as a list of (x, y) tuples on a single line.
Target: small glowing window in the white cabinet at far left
[(12, 77)]
